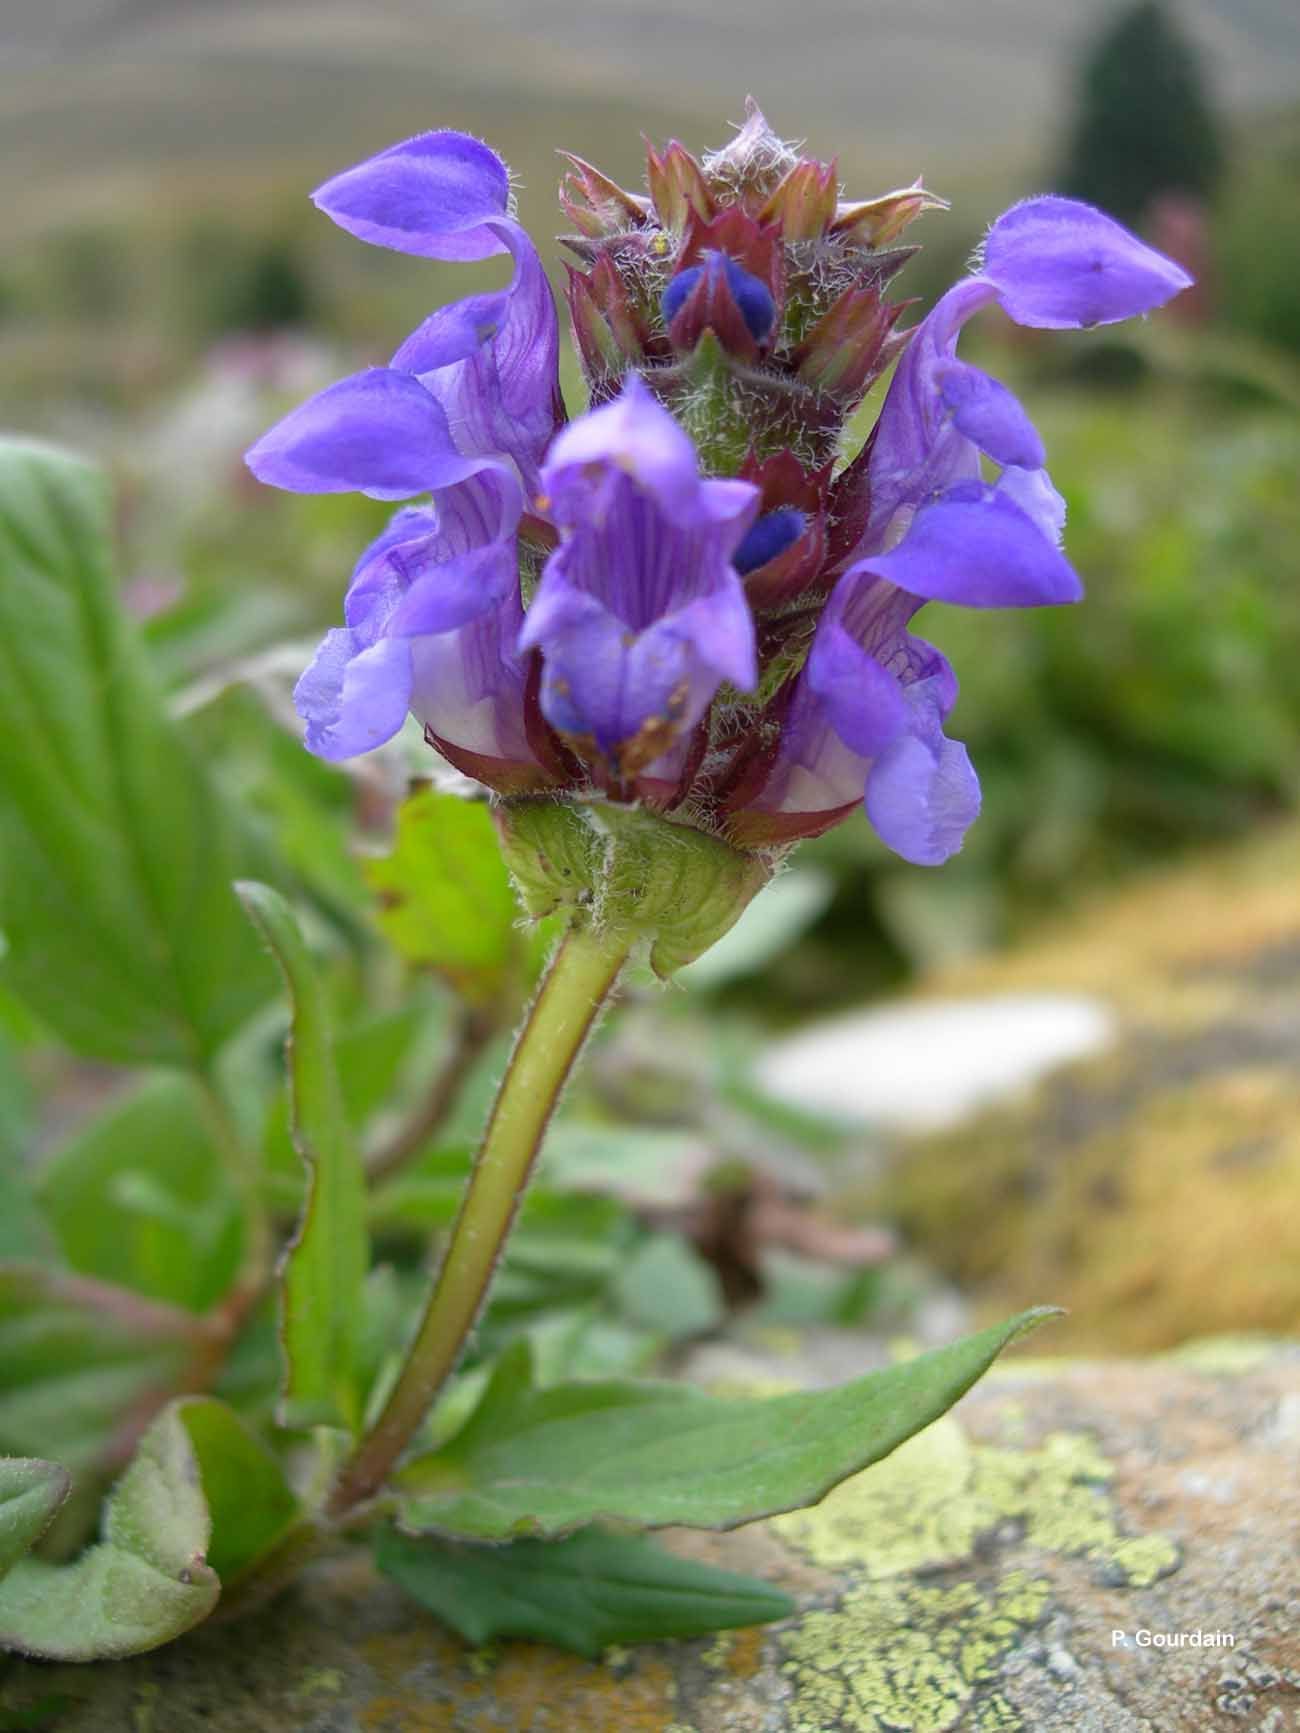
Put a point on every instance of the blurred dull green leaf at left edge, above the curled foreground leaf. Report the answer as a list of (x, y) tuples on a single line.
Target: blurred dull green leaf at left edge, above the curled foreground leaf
[(77, 1360)]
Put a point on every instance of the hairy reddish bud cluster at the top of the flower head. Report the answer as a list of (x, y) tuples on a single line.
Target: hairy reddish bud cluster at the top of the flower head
[(743, 289)]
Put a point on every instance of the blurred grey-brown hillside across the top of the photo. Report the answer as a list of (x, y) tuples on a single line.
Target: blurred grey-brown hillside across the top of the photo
[(107, 103)]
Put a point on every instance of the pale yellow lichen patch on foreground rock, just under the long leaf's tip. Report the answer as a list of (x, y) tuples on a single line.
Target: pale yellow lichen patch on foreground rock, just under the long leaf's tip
[(928, 1505)]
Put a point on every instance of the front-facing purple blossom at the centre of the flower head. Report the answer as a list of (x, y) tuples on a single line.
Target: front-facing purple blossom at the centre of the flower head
[(640, 614)]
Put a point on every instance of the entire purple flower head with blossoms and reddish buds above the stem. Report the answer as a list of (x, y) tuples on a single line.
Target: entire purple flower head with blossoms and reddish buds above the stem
[(684, 597)]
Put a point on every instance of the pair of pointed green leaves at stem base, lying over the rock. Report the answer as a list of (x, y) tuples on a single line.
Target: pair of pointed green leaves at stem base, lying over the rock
[(543, 1462)]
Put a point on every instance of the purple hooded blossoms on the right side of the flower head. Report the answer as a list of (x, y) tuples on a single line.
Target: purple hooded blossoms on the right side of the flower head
[(868, 713)]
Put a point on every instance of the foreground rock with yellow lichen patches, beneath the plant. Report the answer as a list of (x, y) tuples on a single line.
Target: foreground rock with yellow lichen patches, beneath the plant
[(1102, 1548)]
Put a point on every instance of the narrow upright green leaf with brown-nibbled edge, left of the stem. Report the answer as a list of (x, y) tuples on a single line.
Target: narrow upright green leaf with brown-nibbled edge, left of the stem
[(325, 1271)]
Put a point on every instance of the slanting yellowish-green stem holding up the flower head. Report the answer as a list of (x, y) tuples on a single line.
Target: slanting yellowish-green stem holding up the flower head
[(580, 980)]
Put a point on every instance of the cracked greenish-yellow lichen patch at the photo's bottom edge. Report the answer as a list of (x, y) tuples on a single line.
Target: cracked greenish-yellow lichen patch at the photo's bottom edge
[(907, 1659)]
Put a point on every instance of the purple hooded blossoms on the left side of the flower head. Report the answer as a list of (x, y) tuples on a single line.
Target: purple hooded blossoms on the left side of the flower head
[(464, 413)]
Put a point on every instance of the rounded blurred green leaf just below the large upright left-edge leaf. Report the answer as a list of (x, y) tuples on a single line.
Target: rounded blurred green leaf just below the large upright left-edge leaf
[(141, 1198)]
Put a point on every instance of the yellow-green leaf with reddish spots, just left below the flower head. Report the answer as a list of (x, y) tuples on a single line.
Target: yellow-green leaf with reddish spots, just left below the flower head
[(446, 897)]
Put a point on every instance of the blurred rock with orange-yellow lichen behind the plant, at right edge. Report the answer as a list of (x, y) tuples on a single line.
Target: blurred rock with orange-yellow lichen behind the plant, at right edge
[(1152, 1190)]
